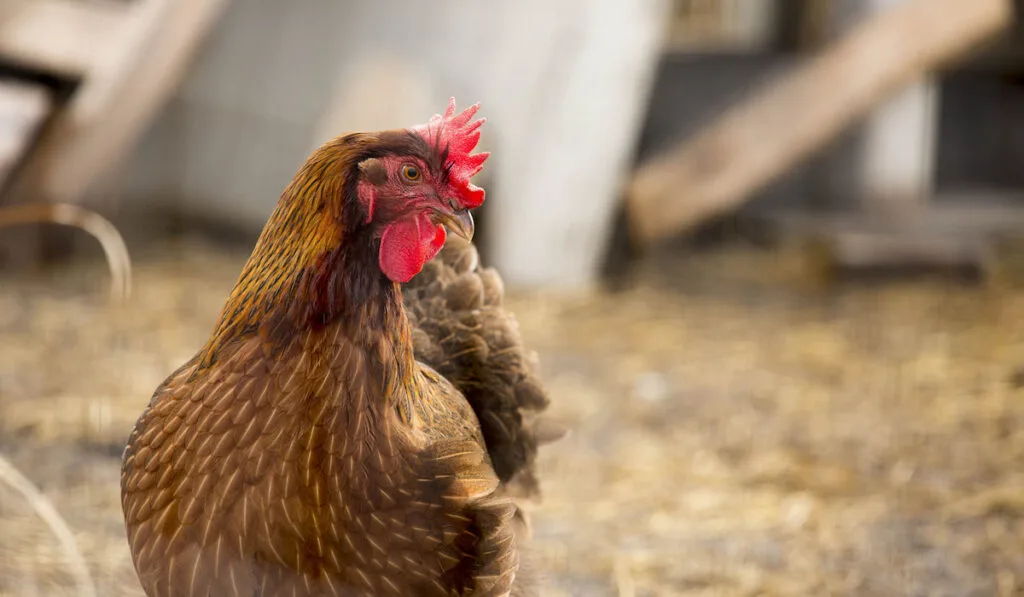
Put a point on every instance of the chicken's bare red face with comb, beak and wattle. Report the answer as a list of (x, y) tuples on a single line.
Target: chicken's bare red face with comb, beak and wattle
[(413, 194)]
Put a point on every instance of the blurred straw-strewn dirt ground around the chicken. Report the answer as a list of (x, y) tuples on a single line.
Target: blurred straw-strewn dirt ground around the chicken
[(734, 433)]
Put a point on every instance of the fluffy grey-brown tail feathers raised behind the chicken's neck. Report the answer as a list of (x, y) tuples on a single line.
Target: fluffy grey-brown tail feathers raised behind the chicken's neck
[(461, 329)]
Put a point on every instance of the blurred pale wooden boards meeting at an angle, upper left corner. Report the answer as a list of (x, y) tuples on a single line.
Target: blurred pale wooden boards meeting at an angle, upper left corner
[(122, 60)]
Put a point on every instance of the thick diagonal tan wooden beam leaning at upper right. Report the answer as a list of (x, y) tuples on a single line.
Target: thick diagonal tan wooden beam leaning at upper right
[(766, 136)]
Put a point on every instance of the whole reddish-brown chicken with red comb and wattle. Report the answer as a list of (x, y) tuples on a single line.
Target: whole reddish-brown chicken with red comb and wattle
[(340, 435)]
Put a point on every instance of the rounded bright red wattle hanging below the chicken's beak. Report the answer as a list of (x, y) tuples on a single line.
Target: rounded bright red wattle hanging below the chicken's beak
[(408, 244)]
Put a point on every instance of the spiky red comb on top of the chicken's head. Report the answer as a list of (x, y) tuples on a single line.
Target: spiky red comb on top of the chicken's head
[(460, 135)]
